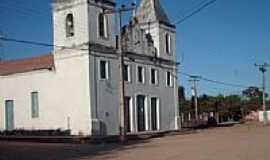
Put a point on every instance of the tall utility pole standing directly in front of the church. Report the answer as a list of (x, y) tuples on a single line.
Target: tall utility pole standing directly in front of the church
[(121, 109)]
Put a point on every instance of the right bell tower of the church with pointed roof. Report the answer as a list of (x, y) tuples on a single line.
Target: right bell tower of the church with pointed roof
[(154, 20)]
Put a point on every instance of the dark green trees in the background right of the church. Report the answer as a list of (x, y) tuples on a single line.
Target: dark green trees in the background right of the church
[(232, 105)]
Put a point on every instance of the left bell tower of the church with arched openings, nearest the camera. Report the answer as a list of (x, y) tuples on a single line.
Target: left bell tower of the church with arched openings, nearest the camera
[(76, 23)]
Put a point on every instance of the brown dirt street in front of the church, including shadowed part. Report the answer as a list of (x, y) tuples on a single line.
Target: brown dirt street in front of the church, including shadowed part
[(241, 142)]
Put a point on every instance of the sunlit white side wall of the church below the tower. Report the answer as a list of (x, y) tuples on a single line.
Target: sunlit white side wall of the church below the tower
[(63, 95)]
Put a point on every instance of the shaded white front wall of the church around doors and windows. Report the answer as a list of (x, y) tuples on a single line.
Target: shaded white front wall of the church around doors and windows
[(107, 97)]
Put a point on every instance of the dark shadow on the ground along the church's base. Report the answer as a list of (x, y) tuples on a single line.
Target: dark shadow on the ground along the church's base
[(41, 151)]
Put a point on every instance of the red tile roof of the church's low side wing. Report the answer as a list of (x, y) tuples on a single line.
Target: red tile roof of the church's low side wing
[(27, 64)]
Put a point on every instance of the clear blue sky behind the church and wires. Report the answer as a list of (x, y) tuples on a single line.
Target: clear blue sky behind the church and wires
[(222, 42)]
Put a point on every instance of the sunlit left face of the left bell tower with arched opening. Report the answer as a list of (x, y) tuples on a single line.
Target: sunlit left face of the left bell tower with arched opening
[(79, 10)]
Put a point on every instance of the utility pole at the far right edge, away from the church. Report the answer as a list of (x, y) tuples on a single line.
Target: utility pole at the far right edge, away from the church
[(263, 69)]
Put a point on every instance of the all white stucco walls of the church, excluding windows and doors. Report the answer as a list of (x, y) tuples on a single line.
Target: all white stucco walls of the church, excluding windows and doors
[(73, 90)]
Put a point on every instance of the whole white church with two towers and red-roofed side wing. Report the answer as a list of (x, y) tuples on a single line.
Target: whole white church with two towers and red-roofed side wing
[(76, 87)]
